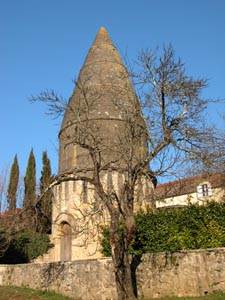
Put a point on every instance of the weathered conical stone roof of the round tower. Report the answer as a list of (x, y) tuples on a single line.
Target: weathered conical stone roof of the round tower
[(100, 111)]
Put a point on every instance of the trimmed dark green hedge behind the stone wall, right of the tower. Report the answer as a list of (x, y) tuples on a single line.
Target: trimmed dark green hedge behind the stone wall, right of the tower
[(192, 227)]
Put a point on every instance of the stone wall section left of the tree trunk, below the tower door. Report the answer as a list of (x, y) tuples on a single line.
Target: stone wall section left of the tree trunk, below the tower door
[(83, 279)]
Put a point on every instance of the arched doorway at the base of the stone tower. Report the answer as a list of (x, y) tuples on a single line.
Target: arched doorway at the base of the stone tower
[(65, 242)]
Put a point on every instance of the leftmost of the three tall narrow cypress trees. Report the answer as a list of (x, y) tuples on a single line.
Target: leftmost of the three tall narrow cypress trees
[(13, 185)]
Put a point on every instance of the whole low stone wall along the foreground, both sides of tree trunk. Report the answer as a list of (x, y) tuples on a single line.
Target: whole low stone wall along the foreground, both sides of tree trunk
[(182, 273)]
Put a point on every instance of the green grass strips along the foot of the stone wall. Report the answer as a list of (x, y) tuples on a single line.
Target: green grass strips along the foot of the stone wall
[(22, 293)]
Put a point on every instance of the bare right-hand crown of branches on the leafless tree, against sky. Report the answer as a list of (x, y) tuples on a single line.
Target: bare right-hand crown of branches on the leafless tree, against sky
[(176, 113)]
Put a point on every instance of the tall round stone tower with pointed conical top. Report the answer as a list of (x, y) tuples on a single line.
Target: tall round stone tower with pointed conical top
[(103, 113)]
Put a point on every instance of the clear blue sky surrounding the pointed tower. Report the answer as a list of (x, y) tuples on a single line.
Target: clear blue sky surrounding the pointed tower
[(43, 44)]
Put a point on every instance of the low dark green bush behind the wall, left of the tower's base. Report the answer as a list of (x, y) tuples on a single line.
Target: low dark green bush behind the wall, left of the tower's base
[(24, 246)]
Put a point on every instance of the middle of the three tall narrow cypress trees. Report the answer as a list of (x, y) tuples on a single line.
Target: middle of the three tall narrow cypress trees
[(30, 183)]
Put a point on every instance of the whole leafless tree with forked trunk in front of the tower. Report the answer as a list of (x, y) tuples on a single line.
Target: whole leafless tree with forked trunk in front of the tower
[(174, 130)]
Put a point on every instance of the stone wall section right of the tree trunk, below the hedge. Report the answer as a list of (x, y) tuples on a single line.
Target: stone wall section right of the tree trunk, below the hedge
[(182, 273)]
